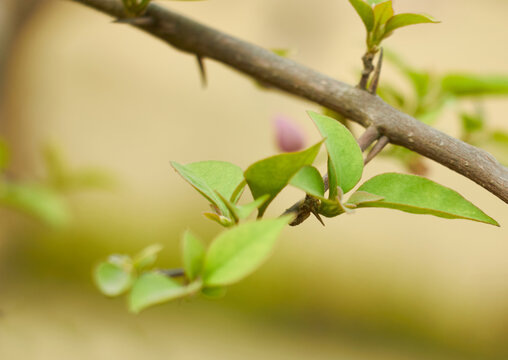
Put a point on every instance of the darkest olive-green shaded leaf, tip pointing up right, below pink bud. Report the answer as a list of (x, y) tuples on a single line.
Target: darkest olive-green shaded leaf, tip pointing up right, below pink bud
[(271, 175)]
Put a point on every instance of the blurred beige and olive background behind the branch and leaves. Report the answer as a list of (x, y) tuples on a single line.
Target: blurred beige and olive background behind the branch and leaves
[(374, 285)]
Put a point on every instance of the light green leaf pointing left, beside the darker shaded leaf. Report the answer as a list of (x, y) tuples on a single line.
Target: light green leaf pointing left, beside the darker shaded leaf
[(210, 176)]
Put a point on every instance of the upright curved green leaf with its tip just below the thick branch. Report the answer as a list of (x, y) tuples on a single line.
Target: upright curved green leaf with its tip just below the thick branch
[(345, 154)]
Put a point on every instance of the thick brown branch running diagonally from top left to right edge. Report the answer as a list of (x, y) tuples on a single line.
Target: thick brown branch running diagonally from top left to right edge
[(353, 103)]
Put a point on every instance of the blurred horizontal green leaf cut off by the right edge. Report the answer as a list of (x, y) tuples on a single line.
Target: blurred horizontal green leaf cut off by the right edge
[(475, 85)]
